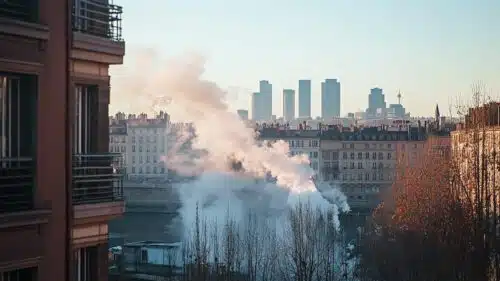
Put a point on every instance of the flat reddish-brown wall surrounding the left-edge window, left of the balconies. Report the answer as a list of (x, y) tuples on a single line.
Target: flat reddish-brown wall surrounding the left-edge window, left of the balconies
[(34, 53)]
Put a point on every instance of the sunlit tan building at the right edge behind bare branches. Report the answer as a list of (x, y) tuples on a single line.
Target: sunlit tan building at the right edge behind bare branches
[(475, 149)]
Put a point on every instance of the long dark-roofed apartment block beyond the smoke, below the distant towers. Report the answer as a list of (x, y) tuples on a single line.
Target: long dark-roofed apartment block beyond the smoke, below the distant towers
[(360, 161)]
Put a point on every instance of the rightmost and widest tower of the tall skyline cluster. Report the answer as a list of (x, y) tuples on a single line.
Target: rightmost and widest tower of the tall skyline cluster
[(330, 99)]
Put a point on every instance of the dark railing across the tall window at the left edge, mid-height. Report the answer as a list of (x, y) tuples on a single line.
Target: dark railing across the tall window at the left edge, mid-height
[(16, 184)]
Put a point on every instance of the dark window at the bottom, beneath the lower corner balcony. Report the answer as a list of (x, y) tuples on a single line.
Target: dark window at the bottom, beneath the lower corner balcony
[(85, 264)]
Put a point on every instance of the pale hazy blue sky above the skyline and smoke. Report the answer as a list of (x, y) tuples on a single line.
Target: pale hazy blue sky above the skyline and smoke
[(432, 50)]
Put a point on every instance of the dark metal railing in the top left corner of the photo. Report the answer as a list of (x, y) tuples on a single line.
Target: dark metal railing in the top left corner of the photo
[(19, 9)]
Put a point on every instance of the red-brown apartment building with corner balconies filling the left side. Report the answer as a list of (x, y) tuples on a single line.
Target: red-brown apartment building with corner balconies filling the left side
[(59, 185)]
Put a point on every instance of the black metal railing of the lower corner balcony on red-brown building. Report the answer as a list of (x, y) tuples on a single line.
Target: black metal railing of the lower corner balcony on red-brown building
[(97, 178)]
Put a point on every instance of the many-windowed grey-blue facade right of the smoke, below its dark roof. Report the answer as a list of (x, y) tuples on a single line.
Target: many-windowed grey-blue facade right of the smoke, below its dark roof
[(362, 162)]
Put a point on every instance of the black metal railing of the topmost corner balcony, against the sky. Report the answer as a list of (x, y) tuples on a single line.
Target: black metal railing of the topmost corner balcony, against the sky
[(97, 18)]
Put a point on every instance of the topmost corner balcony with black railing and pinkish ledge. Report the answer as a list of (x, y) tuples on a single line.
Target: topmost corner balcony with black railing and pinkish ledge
[(97, 29)]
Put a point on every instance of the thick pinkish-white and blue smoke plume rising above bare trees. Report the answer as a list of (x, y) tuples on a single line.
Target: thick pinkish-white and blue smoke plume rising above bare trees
[(220, 139)]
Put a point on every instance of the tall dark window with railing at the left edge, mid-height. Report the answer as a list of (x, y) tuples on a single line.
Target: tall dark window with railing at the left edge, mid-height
[(18, 96)]
